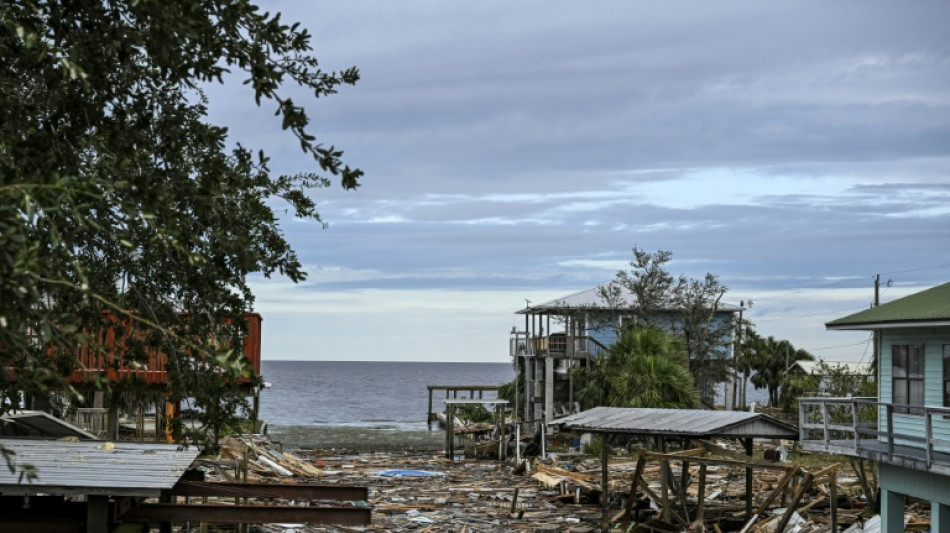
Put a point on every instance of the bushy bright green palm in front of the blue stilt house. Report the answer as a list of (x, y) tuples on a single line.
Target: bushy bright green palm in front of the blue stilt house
[(645, 367)]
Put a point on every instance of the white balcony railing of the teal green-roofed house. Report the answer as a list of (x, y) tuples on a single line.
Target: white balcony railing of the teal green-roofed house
[(865, 426)]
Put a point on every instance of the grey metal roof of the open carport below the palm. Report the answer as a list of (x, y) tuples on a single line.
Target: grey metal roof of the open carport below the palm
[(689, 423)]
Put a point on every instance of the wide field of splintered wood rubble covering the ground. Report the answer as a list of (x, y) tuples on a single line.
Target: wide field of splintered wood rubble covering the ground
[(701, 490)]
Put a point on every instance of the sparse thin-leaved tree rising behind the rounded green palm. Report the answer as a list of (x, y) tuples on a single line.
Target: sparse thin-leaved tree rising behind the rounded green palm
[(687, 307)]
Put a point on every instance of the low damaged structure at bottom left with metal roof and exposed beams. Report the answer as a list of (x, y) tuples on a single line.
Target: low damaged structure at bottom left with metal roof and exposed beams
[(94, 485)]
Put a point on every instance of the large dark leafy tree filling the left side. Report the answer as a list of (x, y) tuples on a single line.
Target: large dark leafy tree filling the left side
[(118, 195)]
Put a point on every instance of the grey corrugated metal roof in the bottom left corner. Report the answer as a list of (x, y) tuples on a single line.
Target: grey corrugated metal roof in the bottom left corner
[(90, 467)]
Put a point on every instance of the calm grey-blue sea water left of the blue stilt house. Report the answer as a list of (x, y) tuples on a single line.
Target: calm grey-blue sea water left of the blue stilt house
[(385, 395)]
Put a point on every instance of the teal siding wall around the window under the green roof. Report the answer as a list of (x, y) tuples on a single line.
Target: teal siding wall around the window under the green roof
[(933, 340)]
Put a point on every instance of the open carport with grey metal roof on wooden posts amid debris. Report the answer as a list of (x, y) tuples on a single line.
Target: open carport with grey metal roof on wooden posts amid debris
[(676, 424)]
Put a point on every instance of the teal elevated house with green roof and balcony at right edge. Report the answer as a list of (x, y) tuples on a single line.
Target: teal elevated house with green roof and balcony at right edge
[(906, 428)]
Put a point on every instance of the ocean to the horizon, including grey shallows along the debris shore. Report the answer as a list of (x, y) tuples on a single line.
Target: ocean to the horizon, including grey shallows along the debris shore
[(358, 405)]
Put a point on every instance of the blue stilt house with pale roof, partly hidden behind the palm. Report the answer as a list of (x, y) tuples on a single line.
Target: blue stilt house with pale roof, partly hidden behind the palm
[(571, 331)]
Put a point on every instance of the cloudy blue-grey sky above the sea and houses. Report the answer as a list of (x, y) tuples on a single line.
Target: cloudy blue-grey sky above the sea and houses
[(518, 151)]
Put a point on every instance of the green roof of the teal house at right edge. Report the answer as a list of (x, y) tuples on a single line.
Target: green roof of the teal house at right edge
[(922, 308)]
